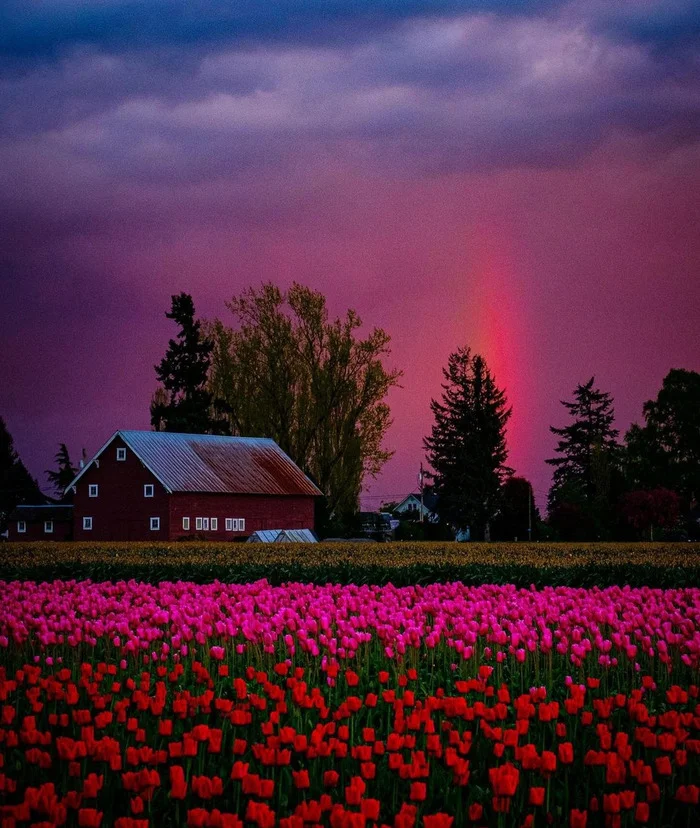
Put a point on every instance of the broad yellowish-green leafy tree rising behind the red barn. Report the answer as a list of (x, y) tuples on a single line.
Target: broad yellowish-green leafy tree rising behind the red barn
[(288, 372)]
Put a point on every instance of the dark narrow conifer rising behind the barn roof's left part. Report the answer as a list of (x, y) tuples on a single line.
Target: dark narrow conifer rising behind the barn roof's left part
[(183, 402)]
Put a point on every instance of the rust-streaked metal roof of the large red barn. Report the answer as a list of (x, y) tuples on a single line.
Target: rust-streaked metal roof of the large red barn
[(212, 463)]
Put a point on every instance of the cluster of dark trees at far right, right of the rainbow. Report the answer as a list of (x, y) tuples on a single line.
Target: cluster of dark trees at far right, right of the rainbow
[(644, 485)]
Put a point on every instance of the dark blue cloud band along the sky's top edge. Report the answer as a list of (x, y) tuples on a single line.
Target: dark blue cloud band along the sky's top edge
[(32, 32)]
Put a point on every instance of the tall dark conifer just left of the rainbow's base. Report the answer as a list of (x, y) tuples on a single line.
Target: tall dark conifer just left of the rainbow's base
[(467, 446)]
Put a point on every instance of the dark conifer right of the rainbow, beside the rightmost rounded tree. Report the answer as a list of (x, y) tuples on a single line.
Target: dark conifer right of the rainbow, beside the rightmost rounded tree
[(587, 470)]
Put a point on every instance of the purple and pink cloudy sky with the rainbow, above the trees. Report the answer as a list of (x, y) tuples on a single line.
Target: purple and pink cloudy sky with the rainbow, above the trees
[(519, 177)]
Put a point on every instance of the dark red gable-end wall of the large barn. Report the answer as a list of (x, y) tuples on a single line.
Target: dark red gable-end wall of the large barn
[(120, 512)]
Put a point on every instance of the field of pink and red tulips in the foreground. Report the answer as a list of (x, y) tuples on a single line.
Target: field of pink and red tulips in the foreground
[(133, 704)]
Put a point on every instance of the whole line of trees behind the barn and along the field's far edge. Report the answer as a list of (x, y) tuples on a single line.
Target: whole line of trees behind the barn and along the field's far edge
[(285, 369)]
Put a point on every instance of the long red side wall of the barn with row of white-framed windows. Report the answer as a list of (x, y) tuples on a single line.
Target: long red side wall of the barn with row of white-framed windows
[(259, 512)]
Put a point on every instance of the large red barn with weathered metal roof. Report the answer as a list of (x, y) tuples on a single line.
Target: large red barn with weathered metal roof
[(158, 486)]
